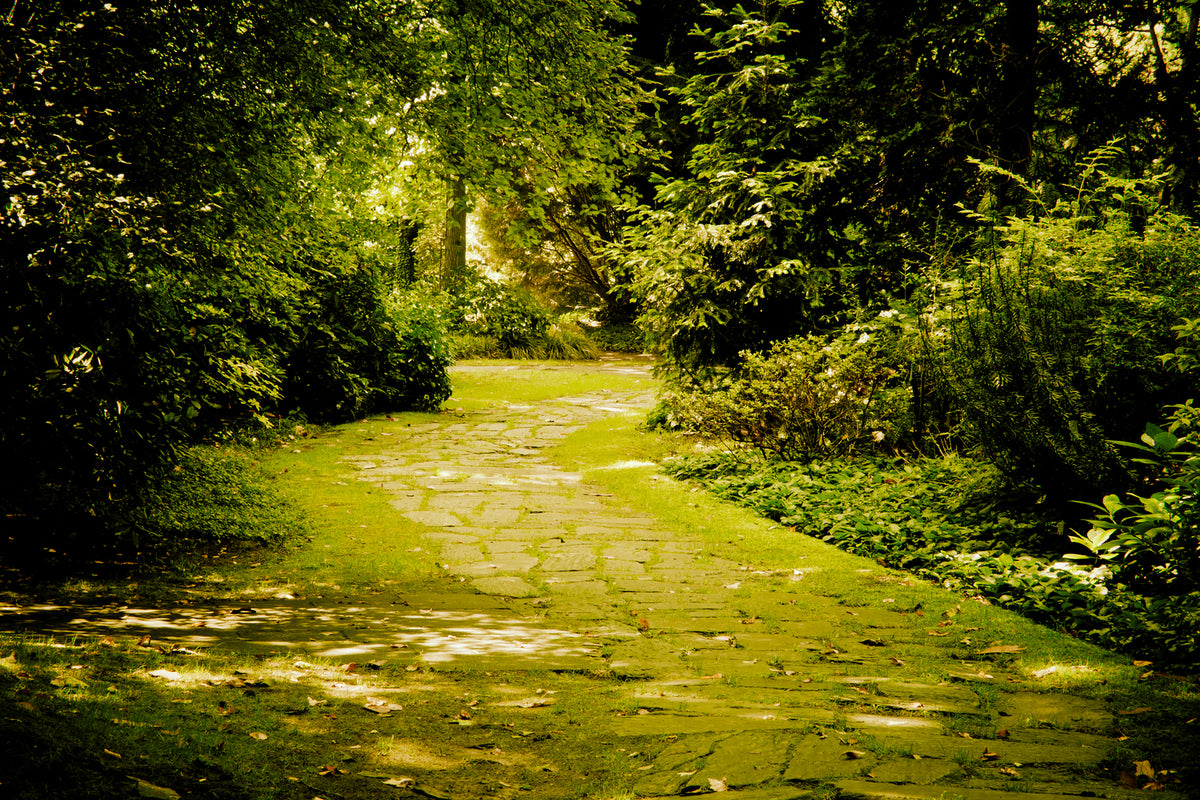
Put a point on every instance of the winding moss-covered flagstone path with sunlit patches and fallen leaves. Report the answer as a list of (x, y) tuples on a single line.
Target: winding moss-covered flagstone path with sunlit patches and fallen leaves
[(730, 679)]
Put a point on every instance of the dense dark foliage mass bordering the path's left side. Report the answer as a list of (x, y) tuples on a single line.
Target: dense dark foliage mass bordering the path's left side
[(177, 254)]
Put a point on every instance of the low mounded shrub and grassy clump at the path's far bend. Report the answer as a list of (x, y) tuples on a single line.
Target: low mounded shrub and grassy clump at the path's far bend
[(496, 321)]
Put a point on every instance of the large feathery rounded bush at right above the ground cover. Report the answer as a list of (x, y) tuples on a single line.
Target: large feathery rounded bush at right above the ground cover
[(1055, 350)]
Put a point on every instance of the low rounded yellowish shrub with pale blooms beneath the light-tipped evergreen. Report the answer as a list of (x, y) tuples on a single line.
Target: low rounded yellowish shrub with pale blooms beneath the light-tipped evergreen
[(806, 398)]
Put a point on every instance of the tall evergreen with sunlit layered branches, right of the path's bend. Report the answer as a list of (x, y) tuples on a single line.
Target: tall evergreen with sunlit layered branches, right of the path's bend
[(733, 255)]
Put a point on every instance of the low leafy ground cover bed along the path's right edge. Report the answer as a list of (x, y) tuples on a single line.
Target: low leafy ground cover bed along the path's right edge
[(957, 522)]
